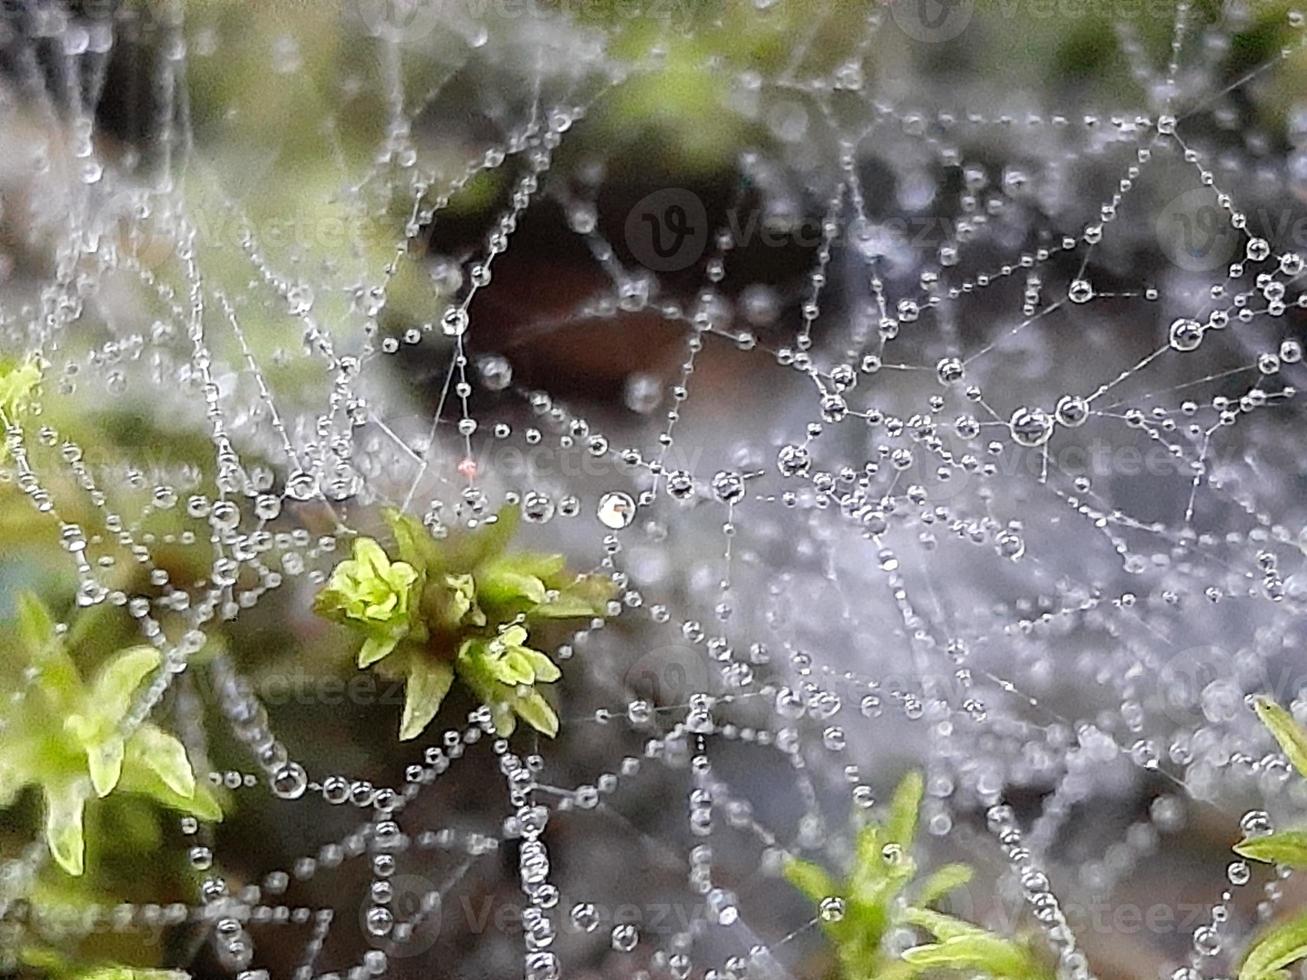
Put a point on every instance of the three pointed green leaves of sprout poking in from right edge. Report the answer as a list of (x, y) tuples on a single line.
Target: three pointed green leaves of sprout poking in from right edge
[(1284, 944)]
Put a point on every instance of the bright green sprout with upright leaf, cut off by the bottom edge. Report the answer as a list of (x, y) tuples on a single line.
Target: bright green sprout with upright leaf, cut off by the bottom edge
[(880, 897)]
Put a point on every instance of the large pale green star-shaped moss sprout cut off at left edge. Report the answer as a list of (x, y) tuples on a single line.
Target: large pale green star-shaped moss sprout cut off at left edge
[(63, 736)]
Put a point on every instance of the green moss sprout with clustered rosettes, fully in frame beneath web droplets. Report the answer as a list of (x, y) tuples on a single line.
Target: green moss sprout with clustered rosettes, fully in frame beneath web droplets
[(461, 607)]
